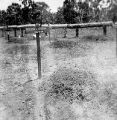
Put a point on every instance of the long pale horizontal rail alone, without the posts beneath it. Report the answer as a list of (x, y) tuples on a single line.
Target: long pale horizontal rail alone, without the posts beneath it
[(55, 26)]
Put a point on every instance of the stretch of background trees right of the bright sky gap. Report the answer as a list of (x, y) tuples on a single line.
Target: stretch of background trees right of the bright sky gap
[(74, 11)]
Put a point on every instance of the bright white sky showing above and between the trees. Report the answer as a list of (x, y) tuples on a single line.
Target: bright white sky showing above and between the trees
[(53, 4)]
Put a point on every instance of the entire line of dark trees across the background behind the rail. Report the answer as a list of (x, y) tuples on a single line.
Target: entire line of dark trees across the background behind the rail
[(72, 11)]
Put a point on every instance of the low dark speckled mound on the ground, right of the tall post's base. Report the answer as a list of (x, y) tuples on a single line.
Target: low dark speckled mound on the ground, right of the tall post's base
[(69, 84)]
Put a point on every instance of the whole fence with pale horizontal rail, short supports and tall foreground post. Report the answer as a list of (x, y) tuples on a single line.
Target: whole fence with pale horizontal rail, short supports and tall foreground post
[(104, 25)]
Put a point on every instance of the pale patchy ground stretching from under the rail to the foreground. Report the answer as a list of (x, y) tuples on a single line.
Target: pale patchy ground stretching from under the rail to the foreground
[(25, 97)]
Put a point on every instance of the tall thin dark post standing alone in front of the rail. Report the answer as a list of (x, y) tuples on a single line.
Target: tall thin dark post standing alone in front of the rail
[(38, 54)]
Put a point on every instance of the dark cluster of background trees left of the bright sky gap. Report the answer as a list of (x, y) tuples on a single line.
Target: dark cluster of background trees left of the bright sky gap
[(31, 12)]
